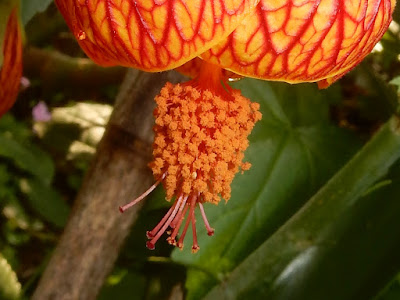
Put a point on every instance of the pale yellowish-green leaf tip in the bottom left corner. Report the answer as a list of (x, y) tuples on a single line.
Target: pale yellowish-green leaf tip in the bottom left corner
[(10, 288)]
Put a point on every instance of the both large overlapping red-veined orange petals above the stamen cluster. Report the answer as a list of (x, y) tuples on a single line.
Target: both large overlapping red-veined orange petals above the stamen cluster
[(289, 40)]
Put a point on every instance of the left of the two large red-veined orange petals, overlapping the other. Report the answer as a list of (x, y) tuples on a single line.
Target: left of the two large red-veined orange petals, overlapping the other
[(152, 35)]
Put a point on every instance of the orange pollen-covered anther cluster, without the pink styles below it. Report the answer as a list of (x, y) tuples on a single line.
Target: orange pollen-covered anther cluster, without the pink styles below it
[(200, 137)]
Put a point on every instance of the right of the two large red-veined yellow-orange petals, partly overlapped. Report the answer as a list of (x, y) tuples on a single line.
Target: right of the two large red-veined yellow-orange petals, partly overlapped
[(299, 40)]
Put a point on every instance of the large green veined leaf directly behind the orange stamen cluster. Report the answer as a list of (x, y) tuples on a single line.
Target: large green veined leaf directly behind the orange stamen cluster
[(294, 150)]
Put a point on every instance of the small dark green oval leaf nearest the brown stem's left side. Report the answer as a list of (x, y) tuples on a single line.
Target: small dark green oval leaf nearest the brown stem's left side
[(46, 201)]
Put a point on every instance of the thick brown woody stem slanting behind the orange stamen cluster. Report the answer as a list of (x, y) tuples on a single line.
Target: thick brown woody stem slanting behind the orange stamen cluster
[(96, 230)]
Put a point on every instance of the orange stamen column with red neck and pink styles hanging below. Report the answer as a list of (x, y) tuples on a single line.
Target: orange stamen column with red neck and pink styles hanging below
[(201, 129)]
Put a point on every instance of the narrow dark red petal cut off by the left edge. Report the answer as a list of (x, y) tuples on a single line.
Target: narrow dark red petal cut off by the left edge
[(11, 70)]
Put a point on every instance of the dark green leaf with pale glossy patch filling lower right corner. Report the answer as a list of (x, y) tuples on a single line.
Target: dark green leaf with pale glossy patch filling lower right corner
[(328, 234)]
